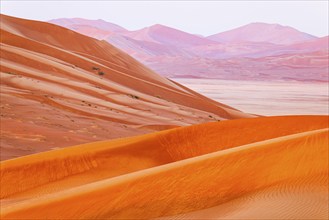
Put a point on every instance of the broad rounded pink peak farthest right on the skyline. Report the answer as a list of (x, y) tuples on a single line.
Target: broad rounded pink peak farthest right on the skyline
[(263, 32)]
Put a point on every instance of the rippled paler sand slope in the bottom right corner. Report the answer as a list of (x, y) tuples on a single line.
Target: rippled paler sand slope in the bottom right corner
[(298, 198)]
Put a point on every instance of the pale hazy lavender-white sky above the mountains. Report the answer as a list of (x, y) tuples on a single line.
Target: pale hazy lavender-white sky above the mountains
[(197, 17)]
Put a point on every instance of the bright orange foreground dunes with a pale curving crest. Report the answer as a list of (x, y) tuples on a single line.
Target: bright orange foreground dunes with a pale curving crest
[(266, 168)]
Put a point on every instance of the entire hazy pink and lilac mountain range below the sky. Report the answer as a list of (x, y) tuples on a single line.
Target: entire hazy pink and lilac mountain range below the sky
[(257, 51)]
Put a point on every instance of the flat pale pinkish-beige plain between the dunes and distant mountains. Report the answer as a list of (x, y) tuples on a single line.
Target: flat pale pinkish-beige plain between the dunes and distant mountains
[(266, 98)]
